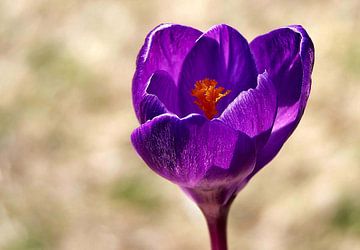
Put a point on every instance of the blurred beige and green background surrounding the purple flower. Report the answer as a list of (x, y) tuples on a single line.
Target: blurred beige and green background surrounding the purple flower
[(70, 179)]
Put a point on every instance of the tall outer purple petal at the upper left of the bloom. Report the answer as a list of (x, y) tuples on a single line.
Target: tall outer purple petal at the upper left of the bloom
[(164, 49)]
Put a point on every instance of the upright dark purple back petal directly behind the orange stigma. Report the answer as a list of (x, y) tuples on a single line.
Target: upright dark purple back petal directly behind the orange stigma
[(222, 54)]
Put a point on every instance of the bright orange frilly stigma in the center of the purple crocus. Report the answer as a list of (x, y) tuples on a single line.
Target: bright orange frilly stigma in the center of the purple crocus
[(207, 96)]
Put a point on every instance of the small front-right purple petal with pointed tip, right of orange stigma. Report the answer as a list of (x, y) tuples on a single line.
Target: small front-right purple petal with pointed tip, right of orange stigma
[(253, 111)]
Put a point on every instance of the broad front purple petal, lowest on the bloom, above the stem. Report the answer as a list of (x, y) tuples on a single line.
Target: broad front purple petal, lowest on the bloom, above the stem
[(193, 151)]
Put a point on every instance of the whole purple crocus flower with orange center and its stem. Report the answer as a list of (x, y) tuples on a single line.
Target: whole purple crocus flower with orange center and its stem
[(215, 109)]
